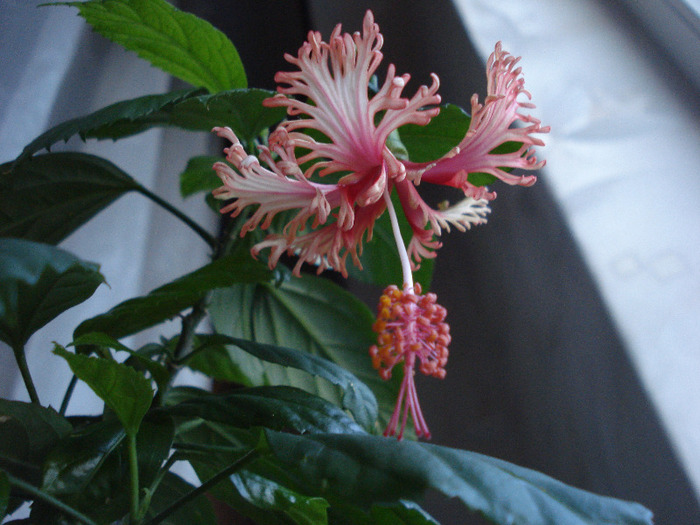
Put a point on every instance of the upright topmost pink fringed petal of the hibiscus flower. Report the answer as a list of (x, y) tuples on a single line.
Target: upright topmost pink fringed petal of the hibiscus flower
[(335, 76)]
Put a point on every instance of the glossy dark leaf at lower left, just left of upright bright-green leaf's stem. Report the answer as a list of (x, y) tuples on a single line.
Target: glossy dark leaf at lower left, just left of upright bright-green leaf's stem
[(72, 465)]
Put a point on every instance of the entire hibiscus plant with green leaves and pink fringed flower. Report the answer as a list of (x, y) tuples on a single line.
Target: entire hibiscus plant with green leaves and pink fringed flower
[(299, 438)]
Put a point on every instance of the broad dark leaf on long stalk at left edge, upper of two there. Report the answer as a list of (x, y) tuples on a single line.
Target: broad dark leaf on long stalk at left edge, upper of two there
[(54, 194)]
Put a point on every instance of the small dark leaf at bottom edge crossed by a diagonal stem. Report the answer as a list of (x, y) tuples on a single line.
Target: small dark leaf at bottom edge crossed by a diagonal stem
[(172, 488)]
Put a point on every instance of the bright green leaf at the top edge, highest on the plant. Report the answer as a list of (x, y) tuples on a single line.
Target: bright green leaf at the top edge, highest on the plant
[(176, 42)]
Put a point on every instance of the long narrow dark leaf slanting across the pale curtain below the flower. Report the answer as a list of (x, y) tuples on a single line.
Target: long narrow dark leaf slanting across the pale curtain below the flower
[(169, 300)]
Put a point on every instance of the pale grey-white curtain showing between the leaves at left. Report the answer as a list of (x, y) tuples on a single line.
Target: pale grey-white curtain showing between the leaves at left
[(60, 70)]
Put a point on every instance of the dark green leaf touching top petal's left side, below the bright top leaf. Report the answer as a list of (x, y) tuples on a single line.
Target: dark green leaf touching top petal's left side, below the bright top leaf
[(239, 109)]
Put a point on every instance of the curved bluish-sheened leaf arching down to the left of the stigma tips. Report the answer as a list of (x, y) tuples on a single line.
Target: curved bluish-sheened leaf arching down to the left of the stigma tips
[(355, 395)]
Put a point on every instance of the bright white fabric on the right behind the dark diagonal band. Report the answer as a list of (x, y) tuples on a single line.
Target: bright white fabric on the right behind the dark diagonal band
[(622, 159)]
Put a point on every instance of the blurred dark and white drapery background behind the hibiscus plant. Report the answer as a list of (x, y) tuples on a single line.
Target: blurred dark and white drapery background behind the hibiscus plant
[(575, 311)]
